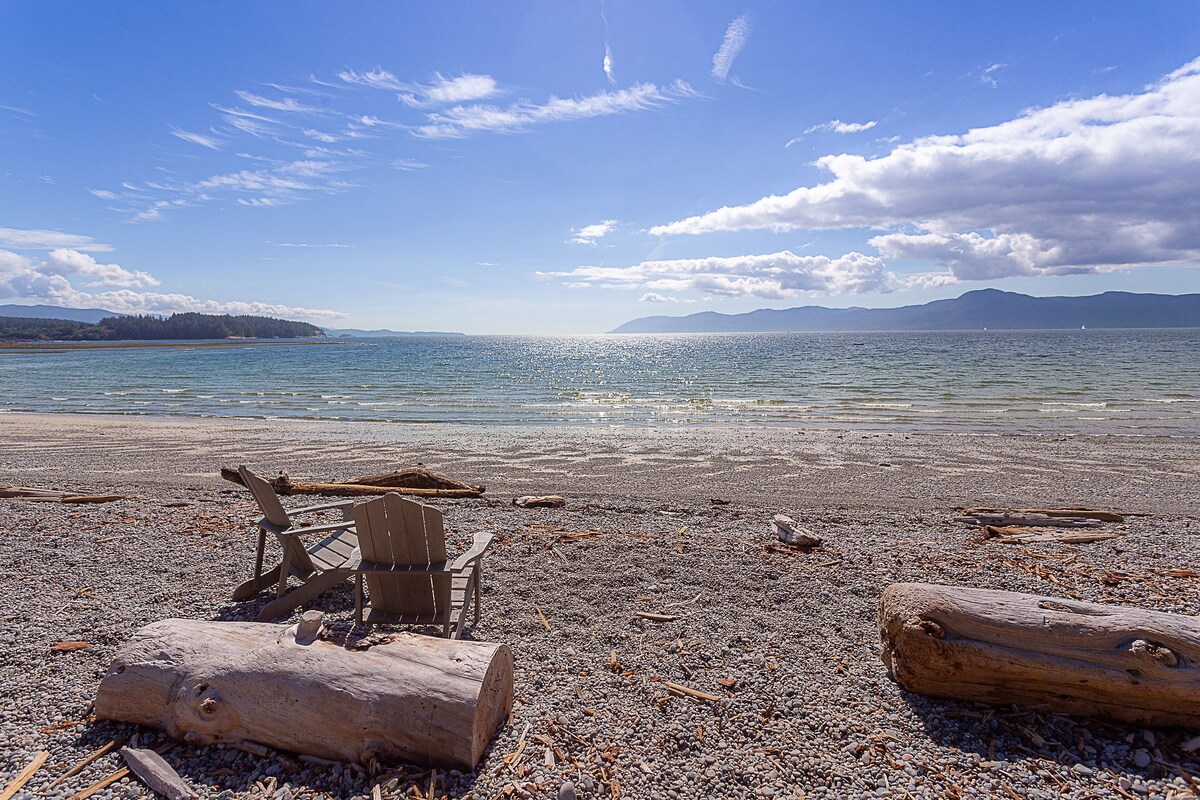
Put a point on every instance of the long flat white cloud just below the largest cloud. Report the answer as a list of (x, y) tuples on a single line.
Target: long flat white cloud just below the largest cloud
[(771, 276)]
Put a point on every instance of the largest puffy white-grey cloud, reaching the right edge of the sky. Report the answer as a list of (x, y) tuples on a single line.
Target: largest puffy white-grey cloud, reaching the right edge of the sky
[(1084, 185)]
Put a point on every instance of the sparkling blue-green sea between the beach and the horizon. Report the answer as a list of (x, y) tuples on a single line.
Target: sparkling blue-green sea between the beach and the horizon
[(1135, 382)]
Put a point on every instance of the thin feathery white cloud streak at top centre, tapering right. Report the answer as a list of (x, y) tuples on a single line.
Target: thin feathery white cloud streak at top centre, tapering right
[(464, 121)]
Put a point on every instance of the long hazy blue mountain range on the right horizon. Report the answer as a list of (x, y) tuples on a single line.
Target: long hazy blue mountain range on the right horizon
[(989, 309)]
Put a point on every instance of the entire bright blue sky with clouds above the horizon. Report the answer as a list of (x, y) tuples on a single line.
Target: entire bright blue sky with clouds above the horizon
[(565, 167)]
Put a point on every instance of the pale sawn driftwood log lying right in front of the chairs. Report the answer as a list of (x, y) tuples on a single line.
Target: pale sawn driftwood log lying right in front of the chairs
[(417, 700)]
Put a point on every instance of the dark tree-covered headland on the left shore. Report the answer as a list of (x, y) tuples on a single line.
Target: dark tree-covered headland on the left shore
[(141, 328)]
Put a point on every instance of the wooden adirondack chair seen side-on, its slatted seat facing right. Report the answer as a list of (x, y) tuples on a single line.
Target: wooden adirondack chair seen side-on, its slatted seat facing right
[(321, 566)]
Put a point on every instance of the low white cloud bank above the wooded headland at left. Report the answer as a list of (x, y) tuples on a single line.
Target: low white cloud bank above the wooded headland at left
[(50, 281)]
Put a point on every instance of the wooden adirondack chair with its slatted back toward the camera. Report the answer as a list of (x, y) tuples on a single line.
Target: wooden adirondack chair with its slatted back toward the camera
[(405, 567)]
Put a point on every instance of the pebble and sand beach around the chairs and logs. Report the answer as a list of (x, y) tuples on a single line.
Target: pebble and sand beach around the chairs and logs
[(811, 713)]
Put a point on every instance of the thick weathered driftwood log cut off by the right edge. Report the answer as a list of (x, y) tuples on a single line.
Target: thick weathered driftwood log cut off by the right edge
[(1001, 647)]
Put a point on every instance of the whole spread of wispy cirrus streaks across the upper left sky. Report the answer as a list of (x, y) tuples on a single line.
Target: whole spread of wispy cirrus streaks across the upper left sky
[(305, 147)]
